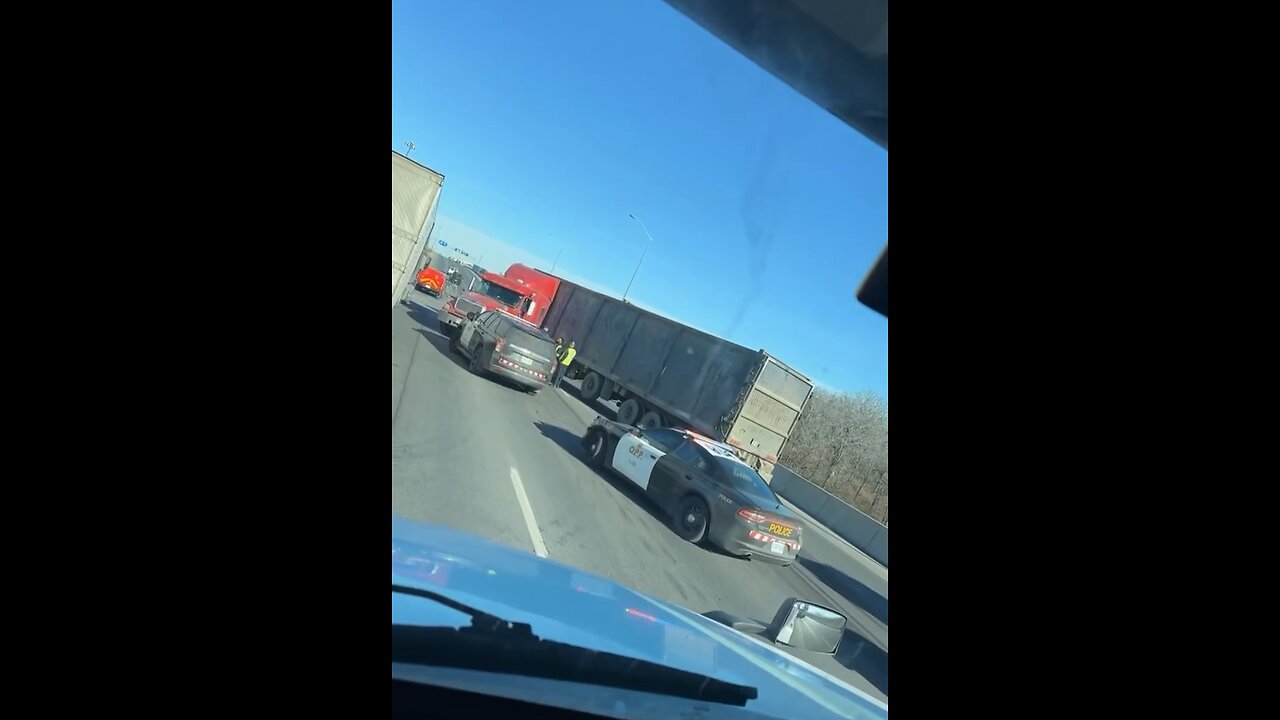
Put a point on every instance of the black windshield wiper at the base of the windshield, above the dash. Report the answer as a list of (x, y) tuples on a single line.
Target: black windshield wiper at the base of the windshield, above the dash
[(493, 645)]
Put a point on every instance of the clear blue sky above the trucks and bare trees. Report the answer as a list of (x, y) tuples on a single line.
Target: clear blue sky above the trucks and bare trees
[(552, 121)]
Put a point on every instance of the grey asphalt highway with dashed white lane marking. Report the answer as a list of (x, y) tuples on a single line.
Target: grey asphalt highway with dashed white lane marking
[(479, 457)]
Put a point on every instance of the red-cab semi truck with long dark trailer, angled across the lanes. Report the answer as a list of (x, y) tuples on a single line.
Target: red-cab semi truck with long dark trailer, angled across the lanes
[(666, 373)]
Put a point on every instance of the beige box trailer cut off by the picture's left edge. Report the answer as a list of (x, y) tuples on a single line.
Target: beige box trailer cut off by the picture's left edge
[(415, 197)]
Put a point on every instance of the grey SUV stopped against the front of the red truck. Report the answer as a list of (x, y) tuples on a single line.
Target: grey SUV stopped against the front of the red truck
[(501, 344)]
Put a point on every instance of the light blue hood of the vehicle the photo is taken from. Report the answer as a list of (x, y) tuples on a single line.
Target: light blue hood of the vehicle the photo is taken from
[(572, 607)]
